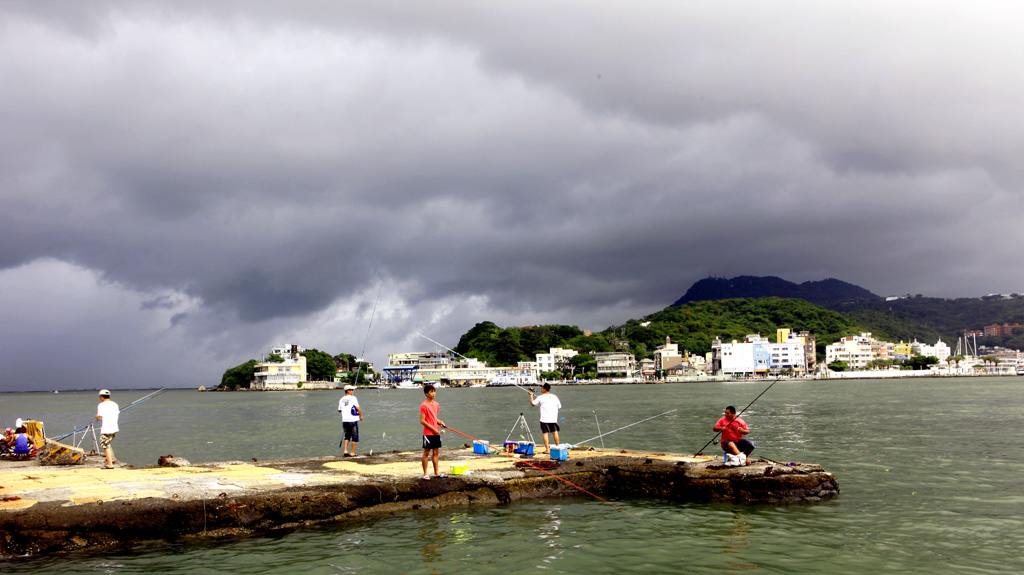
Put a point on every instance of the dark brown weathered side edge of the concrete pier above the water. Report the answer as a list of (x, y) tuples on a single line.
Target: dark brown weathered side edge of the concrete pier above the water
[(48, 528)]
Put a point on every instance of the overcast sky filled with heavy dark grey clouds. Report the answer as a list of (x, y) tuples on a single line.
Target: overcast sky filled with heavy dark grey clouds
[(185, 185)]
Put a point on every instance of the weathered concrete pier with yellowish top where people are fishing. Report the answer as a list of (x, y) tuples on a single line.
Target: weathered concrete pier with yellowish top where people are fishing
[(46, 510)]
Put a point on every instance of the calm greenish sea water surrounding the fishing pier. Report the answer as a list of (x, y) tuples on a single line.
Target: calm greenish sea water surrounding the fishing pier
[(930, 473)]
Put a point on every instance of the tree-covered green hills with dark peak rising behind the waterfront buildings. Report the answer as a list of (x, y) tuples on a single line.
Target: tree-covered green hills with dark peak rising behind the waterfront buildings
[(695, 325)]
